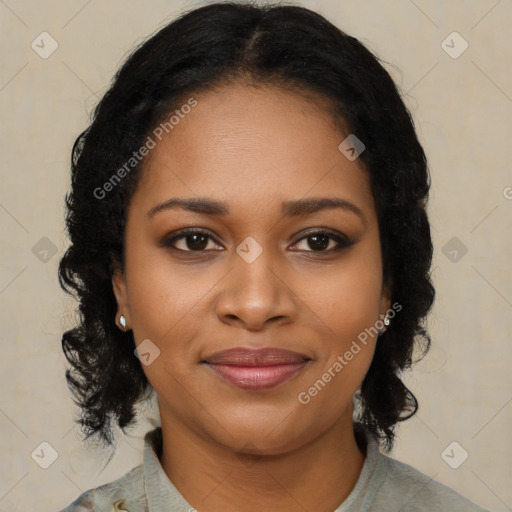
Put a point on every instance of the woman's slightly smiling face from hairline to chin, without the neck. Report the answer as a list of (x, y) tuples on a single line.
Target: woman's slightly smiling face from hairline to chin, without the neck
[(263, 268)]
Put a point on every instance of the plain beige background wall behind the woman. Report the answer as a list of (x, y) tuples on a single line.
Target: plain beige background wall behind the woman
[(463, 111)]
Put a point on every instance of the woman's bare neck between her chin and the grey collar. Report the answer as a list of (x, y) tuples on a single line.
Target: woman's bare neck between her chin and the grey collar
[(317, 476)]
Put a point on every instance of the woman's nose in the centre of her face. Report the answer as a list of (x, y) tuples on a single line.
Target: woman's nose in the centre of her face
[(256, 293)]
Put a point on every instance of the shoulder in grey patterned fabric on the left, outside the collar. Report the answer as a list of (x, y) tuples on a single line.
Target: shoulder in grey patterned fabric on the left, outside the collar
[(127, 493)]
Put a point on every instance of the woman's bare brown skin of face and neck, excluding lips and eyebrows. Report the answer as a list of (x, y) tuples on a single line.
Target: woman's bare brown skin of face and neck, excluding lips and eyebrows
[(225, 448)]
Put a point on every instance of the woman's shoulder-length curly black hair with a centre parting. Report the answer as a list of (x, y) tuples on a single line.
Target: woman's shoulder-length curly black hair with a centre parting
[(211, 46)]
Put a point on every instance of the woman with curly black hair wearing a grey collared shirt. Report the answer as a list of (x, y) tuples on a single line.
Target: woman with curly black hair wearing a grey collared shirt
[(250, 243)]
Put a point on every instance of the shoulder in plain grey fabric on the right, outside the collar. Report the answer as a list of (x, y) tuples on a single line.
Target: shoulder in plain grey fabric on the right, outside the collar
[(403, 485)]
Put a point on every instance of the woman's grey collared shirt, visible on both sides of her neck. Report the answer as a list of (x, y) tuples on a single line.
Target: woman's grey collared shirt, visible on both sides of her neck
[(384, 484)]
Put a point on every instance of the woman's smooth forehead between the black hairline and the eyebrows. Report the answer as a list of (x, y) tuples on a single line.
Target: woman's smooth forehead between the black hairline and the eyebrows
[(251, 146)]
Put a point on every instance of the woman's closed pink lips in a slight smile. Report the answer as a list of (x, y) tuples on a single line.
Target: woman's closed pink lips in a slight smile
[(256, 369)]
